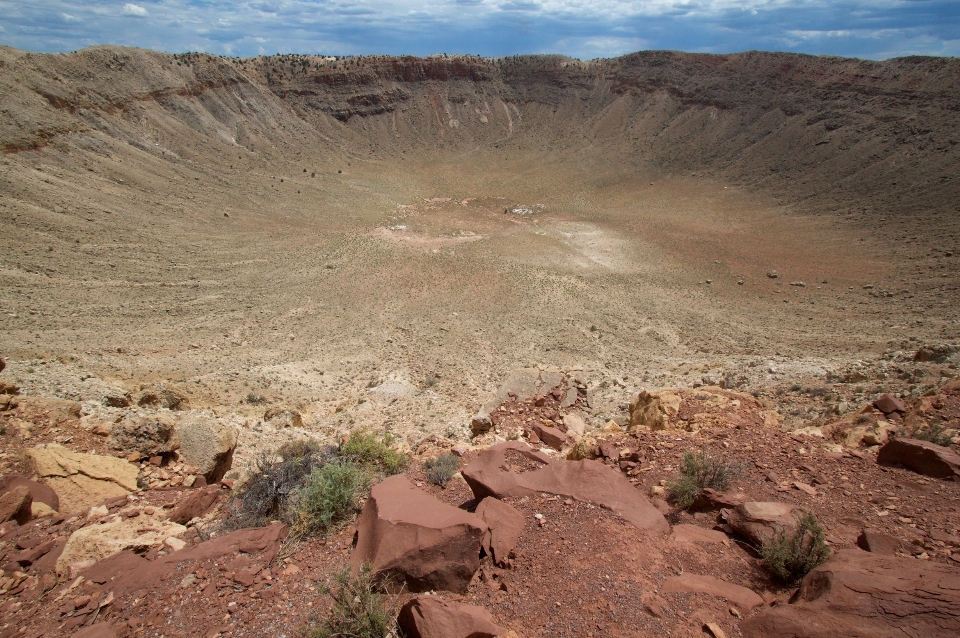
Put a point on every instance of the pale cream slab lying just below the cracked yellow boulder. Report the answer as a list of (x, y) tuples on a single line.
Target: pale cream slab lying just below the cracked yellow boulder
[(97, 541)]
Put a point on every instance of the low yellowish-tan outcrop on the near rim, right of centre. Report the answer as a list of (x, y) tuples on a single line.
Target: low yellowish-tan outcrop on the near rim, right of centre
[(707, 407)]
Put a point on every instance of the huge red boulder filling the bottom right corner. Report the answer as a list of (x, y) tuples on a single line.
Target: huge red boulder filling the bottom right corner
[(858, 594)]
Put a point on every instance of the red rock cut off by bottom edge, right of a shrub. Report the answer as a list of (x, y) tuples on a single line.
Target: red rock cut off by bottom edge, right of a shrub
[(433, 617)]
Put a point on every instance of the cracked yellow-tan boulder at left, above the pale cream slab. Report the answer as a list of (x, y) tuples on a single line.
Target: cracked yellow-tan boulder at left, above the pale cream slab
[(82, 480)]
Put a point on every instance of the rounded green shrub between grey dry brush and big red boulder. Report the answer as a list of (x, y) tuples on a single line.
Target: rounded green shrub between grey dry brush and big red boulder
[(329, 495)]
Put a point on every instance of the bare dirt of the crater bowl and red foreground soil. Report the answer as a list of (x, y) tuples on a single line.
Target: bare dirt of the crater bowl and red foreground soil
[(341, 239)]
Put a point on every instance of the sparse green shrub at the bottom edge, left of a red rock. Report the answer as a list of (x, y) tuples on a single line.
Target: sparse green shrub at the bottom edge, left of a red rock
[(358, 610)]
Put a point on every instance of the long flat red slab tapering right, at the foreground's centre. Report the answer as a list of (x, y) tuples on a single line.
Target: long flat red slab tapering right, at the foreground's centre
[(588, 481)]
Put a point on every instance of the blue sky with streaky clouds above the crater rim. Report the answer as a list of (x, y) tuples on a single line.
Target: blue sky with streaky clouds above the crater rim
[(585, 29)]
